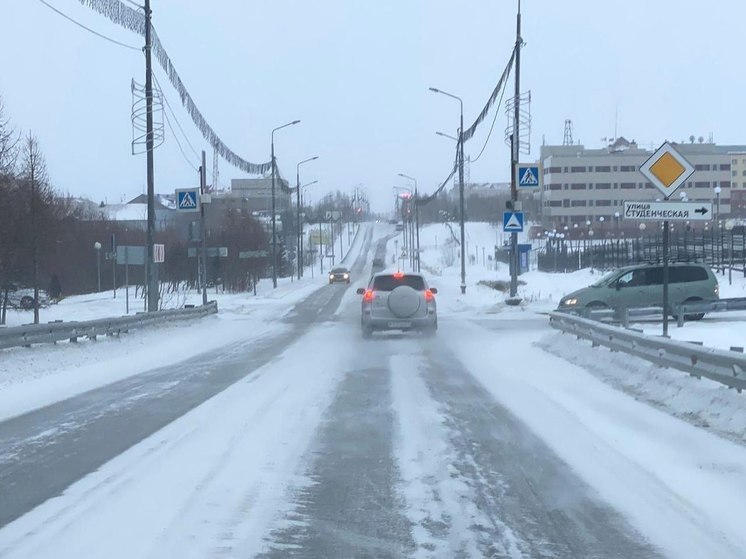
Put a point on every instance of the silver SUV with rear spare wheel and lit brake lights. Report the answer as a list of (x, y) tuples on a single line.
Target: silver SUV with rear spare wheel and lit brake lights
[(398, 301)]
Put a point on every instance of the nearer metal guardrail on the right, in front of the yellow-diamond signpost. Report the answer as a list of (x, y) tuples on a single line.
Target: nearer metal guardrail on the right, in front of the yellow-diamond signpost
[(725, 367)]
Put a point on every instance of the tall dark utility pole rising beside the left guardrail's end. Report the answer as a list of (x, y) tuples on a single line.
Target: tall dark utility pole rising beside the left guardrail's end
[(149, 147)]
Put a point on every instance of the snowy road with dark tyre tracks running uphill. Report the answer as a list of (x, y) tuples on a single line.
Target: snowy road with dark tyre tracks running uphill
[(316, 443)]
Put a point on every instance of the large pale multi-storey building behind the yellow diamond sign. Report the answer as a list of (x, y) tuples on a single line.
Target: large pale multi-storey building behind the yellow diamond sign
[(587, 184)]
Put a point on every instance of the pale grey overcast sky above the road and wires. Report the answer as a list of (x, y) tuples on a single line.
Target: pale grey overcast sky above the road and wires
[(357, 75)]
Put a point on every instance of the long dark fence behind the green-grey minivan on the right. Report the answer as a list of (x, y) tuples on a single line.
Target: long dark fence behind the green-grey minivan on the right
[(722, 250)]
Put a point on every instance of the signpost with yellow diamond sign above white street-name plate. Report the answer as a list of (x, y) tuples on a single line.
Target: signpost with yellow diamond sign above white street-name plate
[(667, 170)]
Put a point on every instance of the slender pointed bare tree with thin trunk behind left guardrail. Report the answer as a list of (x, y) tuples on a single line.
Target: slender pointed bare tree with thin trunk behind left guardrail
[(34, 173)]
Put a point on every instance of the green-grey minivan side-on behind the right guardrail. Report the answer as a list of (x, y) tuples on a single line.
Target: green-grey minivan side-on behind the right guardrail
[(642, 286)]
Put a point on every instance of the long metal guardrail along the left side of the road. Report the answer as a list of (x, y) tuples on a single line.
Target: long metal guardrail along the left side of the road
[(24, 336)]
